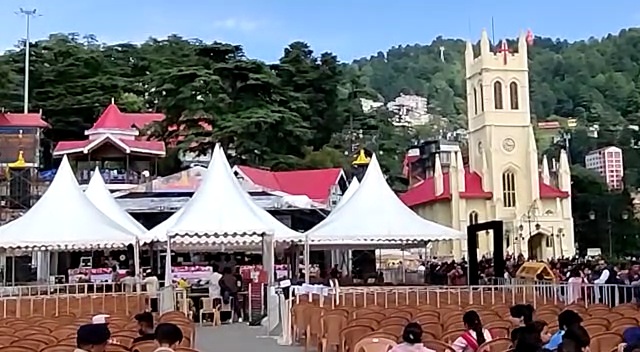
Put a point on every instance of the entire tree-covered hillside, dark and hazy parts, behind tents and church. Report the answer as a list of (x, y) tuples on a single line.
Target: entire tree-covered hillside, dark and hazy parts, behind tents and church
[(300, 111)]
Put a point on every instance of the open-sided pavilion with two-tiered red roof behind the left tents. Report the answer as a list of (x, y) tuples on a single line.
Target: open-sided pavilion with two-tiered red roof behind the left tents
[(115, 144)]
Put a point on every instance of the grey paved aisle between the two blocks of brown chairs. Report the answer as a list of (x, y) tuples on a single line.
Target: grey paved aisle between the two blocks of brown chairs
[(237, 338)]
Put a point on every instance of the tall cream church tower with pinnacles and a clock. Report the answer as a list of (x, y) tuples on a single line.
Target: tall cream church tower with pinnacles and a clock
[(502, 146)]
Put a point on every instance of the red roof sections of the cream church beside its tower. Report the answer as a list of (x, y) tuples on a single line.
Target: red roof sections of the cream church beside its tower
[(424, 192)]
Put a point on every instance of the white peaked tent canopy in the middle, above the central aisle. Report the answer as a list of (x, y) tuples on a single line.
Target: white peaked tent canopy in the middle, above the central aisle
[(221, 212)]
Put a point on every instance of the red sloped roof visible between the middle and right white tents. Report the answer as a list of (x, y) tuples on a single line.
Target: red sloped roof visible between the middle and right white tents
[(315, 184)]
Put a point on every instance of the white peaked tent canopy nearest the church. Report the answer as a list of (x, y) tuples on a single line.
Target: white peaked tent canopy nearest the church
[(375, 216)]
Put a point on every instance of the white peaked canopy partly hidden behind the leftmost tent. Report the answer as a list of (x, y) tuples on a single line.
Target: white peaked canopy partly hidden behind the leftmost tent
[(100, 196)]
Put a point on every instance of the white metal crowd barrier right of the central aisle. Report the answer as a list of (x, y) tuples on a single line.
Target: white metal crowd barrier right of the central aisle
[(509, 293)]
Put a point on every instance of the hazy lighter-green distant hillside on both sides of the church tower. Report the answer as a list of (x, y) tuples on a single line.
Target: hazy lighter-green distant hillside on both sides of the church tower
[(595, 81)]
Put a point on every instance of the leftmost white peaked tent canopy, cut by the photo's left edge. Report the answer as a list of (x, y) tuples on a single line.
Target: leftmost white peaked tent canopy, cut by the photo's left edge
[(64, 219)]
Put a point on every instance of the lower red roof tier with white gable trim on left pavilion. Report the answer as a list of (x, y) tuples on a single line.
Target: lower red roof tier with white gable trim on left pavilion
[(150, 147)]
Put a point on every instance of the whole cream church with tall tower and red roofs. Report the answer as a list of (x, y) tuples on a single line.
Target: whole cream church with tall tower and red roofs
[(503, 179)]
